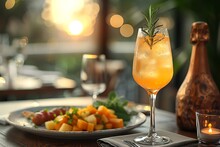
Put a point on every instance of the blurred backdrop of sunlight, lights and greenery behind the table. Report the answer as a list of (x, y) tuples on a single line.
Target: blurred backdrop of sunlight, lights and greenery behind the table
[(45, 39)]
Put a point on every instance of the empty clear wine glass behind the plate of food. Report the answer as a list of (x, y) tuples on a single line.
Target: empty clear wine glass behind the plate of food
[(93, 74)]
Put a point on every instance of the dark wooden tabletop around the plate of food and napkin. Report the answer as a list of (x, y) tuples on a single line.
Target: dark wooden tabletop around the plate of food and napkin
[(10, 136)]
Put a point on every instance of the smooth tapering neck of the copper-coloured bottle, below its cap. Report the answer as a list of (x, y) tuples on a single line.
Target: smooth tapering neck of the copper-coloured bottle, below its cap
[(199, 59)]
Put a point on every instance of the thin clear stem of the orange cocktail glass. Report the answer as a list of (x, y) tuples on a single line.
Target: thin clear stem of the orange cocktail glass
[(152, 131)]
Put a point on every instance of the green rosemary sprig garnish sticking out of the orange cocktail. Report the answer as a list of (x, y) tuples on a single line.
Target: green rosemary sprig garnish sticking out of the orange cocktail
[(151, 17)]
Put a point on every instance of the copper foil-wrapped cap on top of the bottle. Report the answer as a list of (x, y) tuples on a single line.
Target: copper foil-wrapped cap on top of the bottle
[(199, 32)]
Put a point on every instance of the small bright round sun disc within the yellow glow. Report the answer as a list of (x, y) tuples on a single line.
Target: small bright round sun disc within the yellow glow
[(75, 27)]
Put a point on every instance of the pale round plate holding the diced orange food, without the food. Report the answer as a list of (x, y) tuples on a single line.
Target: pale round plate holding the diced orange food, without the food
[(17, 120)]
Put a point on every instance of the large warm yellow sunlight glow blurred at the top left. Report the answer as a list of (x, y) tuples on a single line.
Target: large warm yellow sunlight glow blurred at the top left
[(75, 17)]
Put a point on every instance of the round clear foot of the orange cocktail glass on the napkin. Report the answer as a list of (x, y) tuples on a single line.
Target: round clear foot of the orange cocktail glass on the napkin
[(157, 140)]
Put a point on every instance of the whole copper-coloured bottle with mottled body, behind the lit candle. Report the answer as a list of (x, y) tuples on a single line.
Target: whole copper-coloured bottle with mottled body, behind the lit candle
[(198, 90)]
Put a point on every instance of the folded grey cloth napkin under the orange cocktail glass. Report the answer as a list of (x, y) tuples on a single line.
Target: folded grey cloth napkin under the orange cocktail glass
[(176, 140)]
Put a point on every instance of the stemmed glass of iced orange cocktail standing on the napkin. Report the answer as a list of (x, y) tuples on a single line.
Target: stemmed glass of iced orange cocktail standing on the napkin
[(152, 70)]
